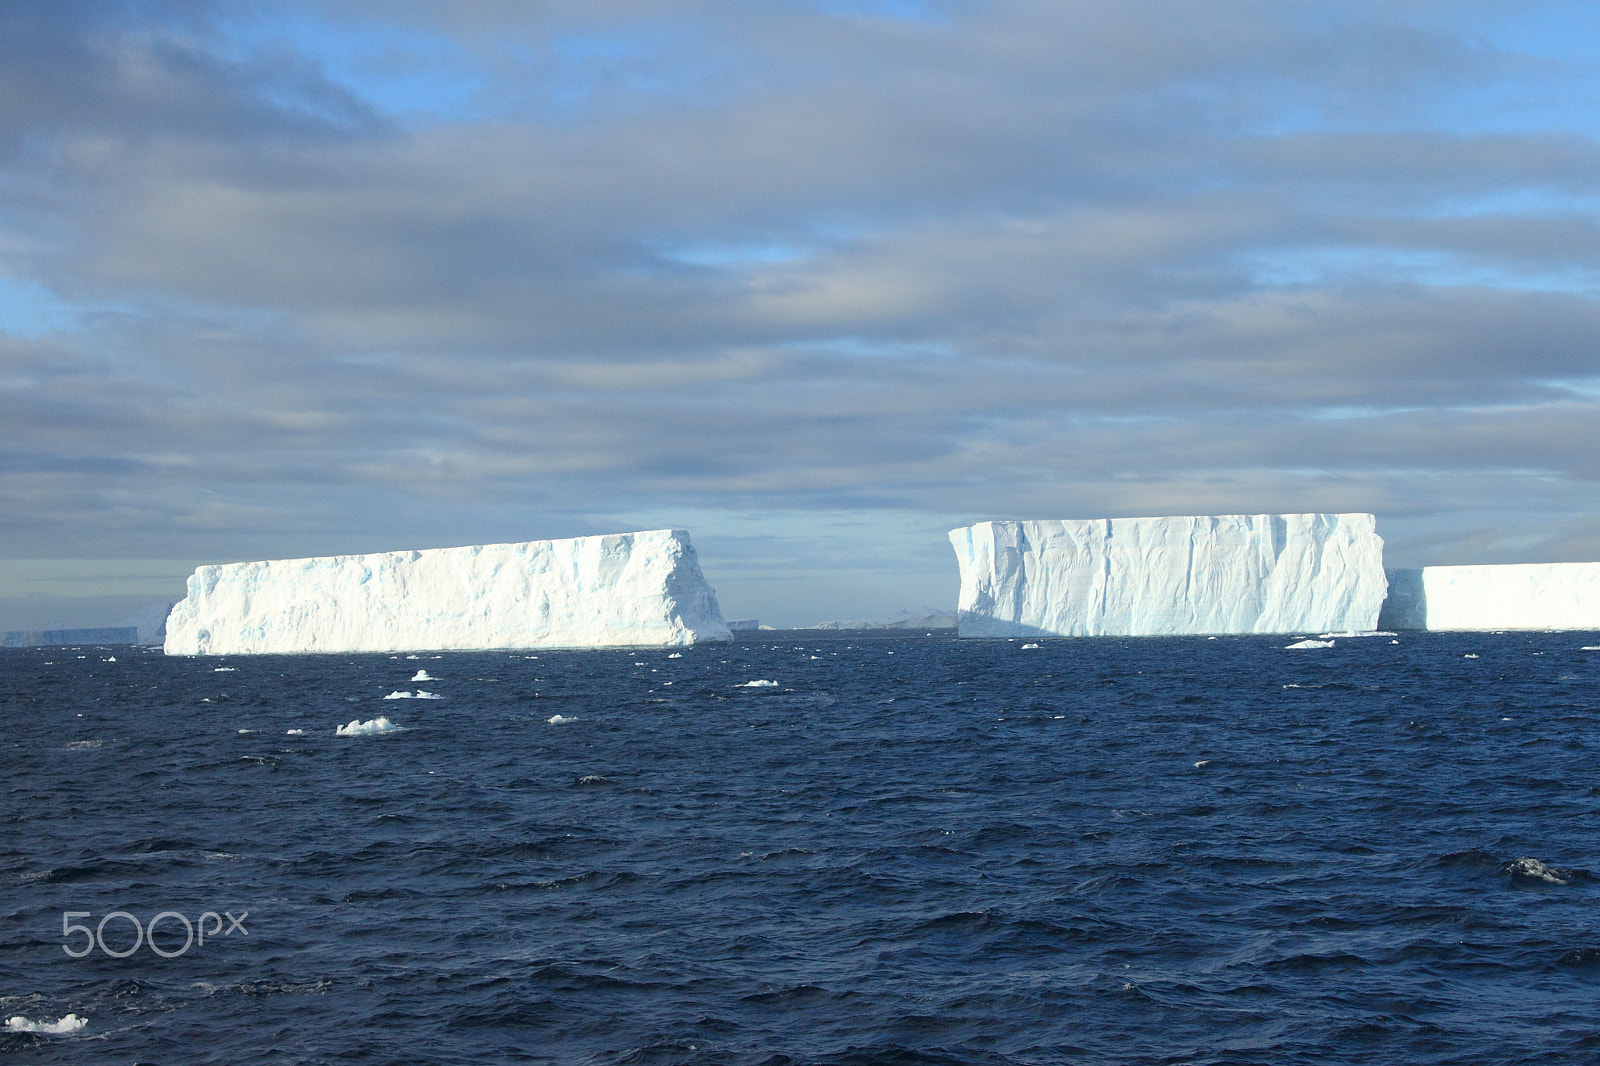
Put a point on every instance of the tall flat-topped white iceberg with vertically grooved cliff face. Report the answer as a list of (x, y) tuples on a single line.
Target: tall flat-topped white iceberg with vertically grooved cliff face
[(1167, 577)]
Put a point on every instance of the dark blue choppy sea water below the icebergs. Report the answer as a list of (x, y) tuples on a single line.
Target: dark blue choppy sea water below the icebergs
[(1162, 851)]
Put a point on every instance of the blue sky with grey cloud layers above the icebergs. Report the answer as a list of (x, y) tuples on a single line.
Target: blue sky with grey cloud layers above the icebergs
[(814, 279)]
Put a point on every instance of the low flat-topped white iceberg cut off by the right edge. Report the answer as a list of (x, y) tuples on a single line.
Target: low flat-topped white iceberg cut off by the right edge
[(1505, 596)]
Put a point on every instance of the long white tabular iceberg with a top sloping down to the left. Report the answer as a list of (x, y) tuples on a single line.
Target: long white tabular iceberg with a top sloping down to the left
[(591, 591)]
